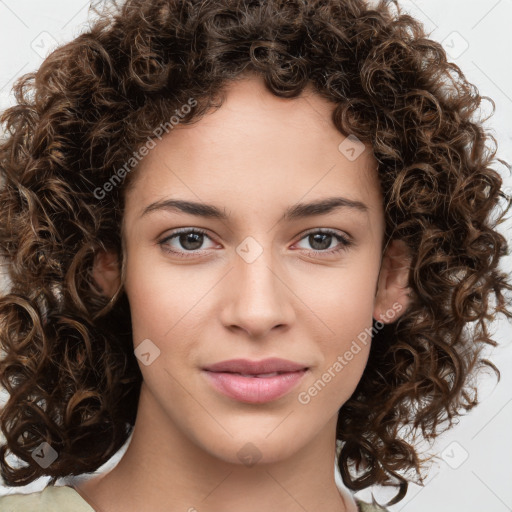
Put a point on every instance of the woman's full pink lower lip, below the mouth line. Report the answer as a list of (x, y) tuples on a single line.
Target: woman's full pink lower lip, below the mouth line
[(256, 390)]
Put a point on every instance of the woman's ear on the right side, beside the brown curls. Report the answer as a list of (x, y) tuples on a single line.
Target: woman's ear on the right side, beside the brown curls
[(392, 297)]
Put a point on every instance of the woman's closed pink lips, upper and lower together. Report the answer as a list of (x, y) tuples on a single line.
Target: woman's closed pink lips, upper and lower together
[(255, 381)]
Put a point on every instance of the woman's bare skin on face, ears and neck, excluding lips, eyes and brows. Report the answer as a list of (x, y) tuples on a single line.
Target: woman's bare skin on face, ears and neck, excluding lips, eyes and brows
[(254, 157)]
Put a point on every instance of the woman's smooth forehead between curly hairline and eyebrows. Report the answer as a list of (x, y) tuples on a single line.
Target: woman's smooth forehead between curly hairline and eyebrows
[(256, 149)]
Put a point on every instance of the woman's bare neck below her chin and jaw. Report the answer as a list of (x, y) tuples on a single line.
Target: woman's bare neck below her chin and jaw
[(164, 470)]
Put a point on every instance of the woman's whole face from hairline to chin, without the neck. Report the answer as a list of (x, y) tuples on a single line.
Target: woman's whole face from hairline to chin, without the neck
[(250, 286)]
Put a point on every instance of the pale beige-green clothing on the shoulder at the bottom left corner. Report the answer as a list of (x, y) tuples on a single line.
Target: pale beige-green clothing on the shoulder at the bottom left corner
[(50, 499)]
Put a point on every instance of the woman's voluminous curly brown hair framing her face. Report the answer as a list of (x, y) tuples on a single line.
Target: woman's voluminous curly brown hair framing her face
[(69, 366)]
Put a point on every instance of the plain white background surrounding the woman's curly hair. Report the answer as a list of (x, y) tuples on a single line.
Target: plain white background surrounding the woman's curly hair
[(472, 472)]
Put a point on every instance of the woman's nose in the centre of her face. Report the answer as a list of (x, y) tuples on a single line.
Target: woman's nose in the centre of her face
[(258, 297)]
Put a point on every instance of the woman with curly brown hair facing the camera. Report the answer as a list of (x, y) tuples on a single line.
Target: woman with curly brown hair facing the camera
[(245, 348)]
